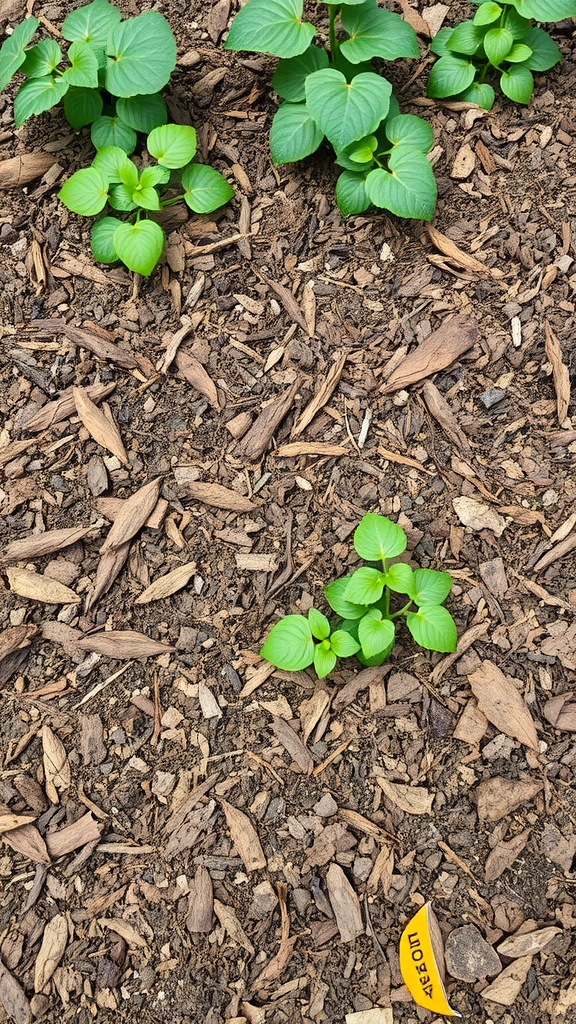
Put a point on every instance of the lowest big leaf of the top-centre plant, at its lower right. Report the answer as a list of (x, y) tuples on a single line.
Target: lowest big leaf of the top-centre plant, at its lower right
[(408, 189)]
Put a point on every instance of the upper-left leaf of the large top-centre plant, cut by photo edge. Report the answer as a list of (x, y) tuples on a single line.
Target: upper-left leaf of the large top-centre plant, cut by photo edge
[(271, 27)]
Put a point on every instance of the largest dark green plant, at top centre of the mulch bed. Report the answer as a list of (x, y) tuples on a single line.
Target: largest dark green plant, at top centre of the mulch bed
[(335, 95)]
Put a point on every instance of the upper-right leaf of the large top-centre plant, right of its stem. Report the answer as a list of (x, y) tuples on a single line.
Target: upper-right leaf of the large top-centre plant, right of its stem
[(376, 32)]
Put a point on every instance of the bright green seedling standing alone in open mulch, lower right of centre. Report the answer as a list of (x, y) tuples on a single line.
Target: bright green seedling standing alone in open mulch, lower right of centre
[(363, 603)]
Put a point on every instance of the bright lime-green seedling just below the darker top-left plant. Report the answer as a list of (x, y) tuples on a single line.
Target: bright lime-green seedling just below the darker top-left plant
[(140, 192)]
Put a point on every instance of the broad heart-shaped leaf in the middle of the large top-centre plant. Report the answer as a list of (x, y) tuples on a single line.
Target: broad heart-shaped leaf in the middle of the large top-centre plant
[(347, 112)]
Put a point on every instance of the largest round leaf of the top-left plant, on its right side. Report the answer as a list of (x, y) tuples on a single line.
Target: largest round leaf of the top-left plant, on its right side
[(142, 56)]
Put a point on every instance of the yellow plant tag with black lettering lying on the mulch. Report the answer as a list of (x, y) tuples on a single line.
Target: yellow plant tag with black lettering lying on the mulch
[(423, 969)]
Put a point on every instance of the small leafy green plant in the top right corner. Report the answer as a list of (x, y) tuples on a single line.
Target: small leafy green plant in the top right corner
[(500, 42)]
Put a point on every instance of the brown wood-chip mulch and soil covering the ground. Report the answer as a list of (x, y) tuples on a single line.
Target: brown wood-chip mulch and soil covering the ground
[(219, 803)]
